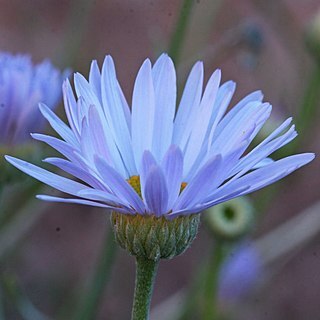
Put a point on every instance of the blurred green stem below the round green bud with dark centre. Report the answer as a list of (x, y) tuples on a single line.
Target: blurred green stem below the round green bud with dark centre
[(210, 311)]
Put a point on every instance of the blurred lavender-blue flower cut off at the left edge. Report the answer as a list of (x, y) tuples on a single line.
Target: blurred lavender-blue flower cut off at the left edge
[(22, 86)]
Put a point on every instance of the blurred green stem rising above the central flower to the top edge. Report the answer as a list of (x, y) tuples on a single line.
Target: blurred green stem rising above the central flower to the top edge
[(180, 30)]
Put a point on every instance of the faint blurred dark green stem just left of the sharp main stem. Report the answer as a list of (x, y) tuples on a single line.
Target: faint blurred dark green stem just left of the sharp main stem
[(91, 300)]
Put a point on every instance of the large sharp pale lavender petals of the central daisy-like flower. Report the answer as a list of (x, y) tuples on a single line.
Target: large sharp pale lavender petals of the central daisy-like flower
[(155, 161)]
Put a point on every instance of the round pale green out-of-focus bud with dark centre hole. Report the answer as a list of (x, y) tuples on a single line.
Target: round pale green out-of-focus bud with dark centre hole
[(230, 220)]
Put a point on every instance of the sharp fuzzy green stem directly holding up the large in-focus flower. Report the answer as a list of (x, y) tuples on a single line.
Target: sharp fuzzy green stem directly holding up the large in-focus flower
[(145, 275)]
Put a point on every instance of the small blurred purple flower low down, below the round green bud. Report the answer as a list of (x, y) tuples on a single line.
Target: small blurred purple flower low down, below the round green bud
[(239, 273)]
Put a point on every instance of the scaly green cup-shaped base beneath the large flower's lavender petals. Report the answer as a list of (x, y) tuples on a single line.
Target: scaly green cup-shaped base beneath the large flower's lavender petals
[(154, 238)]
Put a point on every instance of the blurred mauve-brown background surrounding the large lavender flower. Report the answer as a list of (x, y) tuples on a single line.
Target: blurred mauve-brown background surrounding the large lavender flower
[(48, 258)]
